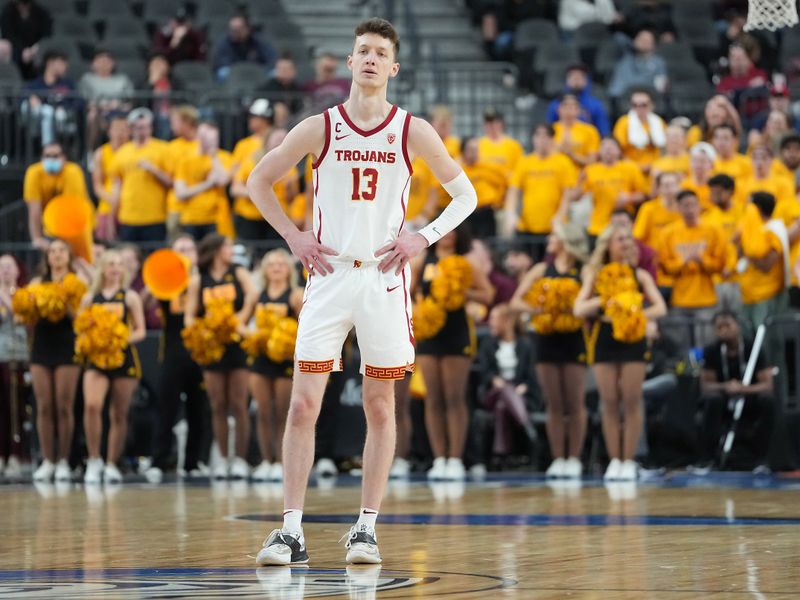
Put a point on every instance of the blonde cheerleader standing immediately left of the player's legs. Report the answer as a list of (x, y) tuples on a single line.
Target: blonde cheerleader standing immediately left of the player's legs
[(271, 382)]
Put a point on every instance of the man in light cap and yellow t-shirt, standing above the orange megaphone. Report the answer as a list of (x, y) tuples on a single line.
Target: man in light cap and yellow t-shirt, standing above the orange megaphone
[(141, 182)]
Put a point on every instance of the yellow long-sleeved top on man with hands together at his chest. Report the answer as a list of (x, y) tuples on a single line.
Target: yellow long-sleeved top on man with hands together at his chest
[(693, 283)]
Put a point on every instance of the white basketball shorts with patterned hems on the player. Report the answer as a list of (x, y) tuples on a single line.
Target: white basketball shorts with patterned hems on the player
[(357, 295)]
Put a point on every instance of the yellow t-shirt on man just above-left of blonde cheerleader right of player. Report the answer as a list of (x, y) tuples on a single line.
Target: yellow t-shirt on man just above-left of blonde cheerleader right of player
[(542, 182)]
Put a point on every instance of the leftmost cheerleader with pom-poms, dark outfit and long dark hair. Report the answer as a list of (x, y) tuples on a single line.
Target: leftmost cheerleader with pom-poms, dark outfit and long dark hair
[(55, 374)]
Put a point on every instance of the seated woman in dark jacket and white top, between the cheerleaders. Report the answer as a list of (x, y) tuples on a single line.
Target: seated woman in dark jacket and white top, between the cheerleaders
[(505, 360)]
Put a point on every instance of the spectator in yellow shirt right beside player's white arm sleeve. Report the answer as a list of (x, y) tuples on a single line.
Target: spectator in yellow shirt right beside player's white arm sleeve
[(490, 184)]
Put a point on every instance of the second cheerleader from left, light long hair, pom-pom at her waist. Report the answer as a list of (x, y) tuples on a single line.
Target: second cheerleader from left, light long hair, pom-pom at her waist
[(110, 289)]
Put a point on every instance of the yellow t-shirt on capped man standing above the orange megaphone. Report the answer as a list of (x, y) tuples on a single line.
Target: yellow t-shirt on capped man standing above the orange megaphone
[(143, 199)]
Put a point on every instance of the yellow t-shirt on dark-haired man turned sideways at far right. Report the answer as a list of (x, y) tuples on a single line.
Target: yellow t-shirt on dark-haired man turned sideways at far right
[(757, 285)]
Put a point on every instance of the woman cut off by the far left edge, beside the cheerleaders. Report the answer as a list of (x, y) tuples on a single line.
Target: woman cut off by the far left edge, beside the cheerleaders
[(13, 358)]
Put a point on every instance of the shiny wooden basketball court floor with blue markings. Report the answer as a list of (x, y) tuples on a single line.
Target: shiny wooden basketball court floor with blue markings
[(675, 536)]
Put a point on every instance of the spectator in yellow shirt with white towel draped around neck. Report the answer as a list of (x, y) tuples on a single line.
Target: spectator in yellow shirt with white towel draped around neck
[(640, 132)]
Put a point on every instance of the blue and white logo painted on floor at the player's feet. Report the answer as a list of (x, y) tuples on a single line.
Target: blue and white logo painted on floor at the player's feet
[(286, 583)]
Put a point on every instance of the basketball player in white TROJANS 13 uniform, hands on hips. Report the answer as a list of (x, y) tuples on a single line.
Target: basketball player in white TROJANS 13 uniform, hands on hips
[(357, 257)]
